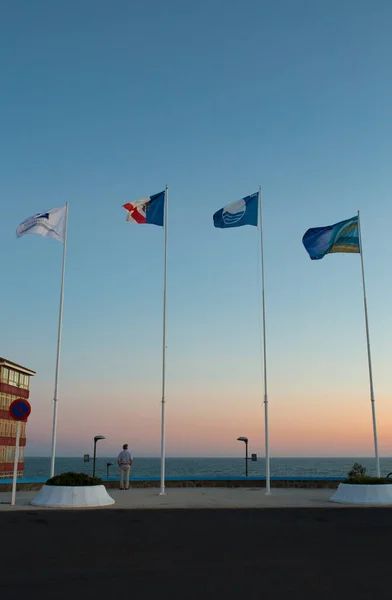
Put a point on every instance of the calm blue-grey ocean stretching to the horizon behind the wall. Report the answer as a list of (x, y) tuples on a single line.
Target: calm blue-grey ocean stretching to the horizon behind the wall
[(209, 467)]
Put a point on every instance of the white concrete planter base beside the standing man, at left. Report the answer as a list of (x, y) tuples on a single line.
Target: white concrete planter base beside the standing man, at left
[(54, 496)]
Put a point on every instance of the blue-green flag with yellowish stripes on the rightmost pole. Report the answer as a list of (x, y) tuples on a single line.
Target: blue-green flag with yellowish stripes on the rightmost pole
[(341, 237)]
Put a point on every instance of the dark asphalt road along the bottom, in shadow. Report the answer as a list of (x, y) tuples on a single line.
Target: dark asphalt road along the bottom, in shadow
[(185, 554)]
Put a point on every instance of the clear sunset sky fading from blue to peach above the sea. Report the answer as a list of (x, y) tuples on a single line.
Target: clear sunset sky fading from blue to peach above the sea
[(103, 103)]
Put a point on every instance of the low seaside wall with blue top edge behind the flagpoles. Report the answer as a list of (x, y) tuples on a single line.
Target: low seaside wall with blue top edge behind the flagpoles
[(232, 482)]
